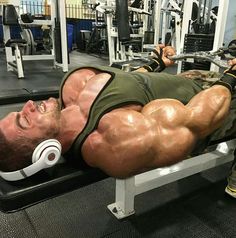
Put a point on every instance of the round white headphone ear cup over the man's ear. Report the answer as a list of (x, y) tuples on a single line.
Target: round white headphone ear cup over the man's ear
[(49, 151)]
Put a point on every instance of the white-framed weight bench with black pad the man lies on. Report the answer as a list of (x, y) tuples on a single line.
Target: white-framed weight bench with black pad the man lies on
[(67, 176)]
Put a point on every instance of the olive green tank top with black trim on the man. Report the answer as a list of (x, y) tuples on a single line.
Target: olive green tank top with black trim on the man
[(126, 88)]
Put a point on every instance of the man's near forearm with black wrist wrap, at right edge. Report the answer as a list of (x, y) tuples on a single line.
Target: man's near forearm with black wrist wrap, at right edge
[(213, 103)]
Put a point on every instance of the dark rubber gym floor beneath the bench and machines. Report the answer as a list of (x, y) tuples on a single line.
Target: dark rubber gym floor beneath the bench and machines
[(193, 207)]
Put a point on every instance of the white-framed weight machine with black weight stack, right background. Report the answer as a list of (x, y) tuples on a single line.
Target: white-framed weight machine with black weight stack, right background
[(189, 25)]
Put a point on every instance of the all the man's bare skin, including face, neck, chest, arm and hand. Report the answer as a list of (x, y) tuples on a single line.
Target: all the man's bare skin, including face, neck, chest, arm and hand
[(128, 140)]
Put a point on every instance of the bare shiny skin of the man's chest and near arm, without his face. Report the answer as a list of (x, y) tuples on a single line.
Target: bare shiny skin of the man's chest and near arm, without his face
[(133, 139)]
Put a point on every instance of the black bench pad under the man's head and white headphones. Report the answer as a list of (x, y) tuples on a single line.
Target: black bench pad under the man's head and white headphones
[(60, 179)]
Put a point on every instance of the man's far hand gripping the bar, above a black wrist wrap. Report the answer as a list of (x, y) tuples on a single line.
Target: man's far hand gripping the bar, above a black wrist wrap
[(165, 52)]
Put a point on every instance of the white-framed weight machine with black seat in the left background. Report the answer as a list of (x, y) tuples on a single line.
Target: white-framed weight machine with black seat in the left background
[(57, 24)]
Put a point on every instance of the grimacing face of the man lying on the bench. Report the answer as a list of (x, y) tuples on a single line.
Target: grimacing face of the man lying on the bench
[(33, 121)]
